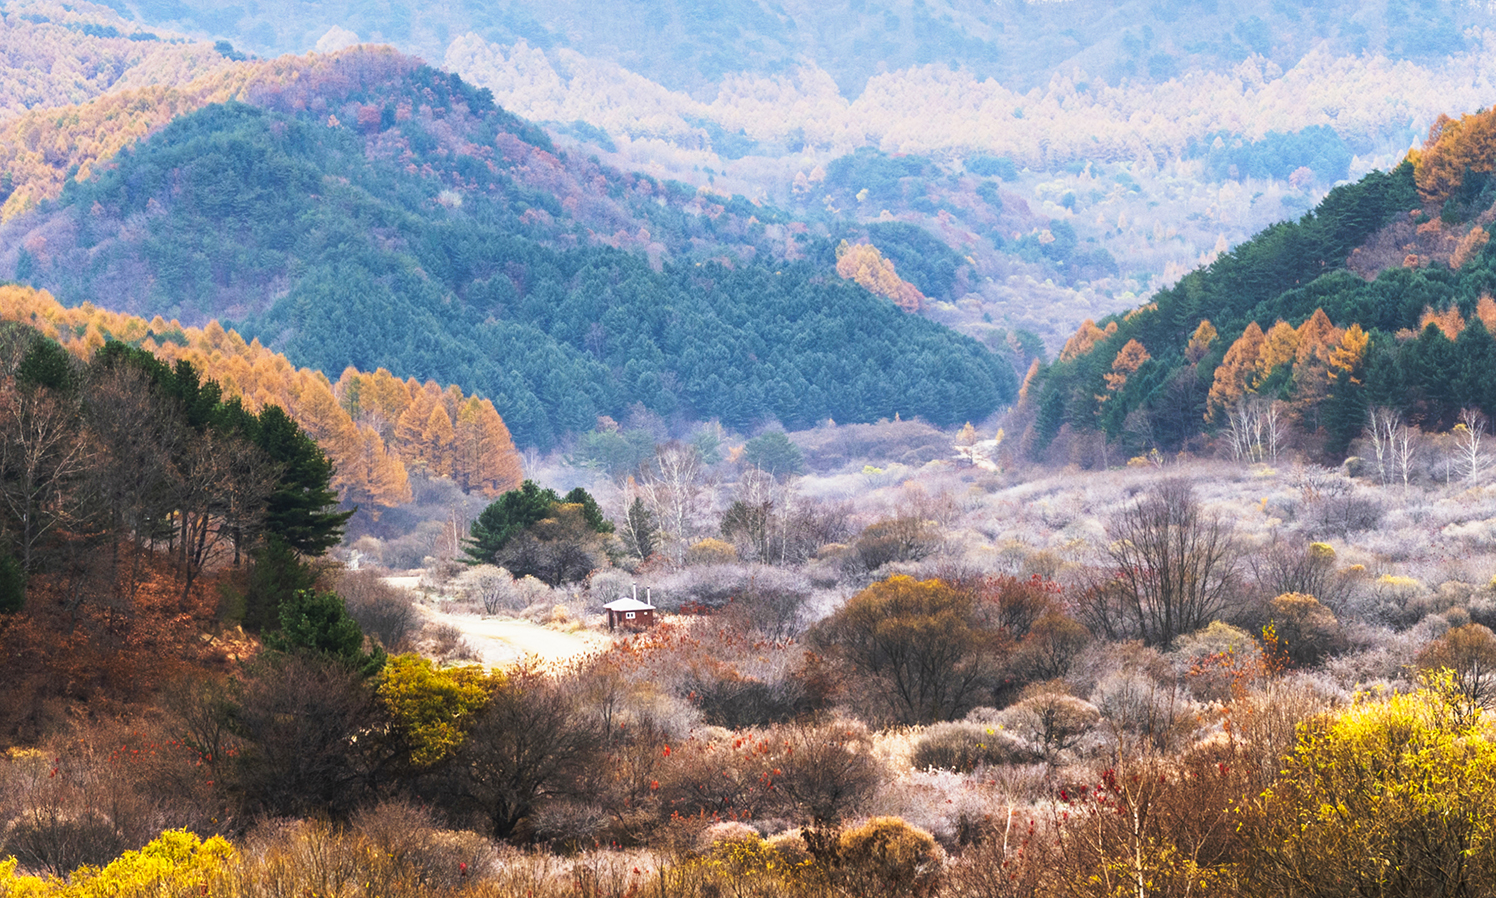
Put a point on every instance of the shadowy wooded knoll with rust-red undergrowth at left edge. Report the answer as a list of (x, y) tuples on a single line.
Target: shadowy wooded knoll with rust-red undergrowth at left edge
[(135, 496)]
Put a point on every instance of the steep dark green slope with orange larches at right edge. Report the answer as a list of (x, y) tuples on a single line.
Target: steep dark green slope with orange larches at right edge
[(1377, 302)]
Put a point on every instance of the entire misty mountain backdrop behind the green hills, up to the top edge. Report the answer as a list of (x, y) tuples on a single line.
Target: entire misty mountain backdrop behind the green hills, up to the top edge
[(1133, 141)]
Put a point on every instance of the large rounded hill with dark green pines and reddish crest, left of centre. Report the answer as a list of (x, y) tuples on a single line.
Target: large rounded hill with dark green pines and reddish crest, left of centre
[(375, 213)]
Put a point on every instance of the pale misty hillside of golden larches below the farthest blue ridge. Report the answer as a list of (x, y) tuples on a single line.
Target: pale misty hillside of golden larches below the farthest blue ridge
[(1067, 191)]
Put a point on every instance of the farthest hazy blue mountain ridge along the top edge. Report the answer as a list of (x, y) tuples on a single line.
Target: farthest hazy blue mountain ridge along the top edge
[(692, 44)]
